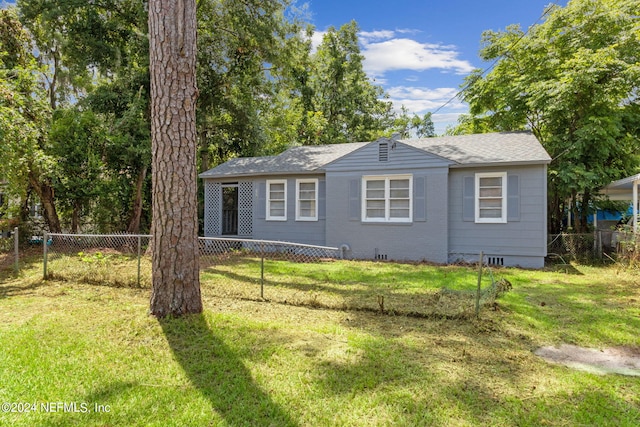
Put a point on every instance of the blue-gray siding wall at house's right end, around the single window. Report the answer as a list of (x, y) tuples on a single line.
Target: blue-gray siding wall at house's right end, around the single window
[(522, 240)]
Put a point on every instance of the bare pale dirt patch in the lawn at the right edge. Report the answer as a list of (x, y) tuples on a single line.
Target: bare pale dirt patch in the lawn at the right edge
[(616, 360)]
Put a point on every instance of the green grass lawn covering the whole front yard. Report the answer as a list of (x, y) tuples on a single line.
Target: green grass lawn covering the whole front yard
[(78, 353)]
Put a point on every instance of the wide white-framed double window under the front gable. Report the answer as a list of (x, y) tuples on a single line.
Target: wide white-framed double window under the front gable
[(387, 198)]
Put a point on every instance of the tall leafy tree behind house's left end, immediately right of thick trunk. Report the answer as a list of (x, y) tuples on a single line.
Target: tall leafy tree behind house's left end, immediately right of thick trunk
[(245, 53)]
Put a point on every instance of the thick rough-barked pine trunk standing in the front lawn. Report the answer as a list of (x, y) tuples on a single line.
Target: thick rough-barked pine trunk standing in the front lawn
[(175, 264)]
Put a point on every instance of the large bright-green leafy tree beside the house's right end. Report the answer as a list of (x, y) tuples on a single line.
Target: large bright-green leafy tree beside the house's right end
[(572, 80)]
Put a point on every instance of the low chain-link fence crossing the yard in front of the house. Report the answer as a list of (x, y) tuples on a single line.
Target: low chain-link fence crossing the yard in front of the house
[(281, 272)]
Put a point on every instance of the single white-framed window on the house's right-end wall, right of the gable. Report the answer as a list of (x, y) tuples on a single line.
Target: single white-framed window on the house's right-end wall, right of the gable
[(491, 202)]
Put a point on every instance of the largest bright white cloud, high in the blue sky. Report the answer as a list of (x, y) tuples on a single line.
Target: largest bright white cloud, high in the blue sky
[(407, 54)]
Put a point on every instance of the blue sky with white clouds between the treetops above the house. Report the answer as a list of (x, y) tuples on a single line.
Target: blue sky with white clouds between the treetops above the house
[(421, 50)]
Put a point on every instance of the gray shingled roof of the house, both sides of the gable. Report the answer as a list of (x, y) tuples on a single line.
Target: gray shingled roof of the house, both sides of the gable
[(464, 150)]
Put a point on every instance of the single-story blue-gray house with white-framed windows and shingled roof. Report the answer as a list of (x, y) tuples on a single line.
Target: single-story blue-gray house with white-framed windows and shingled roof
[(439, 199)]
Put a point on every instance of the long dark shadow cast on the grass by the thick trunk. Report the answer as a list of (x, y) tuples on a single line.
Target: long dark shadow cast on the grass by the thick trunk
[(219, 374)]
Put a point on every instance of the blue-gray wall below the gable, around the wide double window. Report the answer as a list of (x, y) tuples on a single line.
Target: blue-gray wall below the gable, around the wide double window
[(423, 239)]
